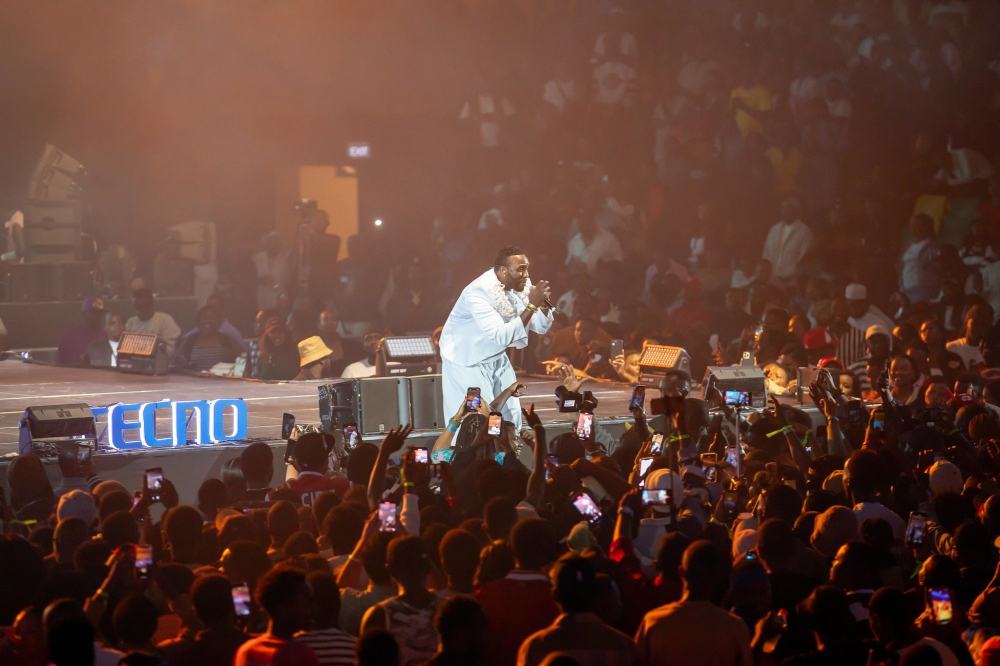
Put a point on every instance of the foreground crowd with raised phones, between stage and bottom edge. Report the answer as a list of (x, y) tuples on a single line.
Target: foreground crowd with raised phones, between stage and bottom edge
[(685, 540)]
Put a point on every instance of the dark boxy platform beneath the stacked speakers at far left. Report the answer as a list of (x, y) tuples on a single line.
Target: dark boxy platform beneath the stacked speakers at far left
[(48, 282)]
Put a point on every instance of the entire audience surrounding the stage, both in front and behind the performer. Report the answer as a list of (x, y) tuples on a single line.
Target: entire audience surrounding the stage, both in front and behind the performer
[(727, 177)]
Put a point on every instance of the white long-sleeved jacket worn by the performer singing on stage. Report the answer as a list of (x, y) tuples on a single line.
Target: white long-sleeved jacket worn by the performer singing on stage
[(476, 330)]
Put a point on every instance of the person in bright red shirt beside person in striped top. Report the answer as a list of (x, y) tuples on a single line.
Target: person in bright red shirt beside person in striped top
[(284, 594)]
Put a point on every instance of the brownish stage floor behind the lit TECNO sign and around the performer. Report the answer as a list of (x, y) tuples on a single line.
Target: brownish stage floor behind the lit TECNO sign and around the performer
[(28, 384)]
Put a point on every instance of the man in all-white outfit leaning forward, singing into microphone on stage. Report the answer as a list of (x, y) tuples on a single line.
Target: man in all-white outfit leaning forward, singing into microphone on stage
[(494, 312)]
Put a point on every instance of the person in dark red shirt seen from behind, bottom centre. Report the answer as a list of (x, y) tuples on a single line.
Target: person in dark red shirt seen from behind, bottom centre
[(521, 603)]
